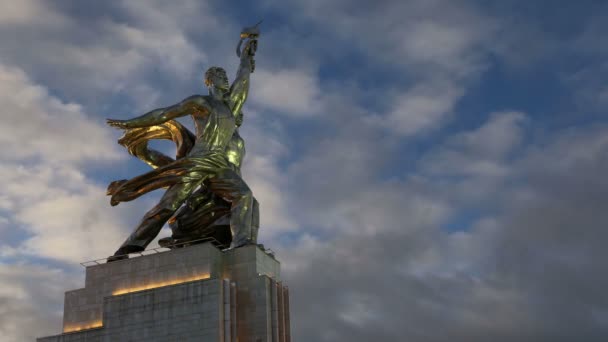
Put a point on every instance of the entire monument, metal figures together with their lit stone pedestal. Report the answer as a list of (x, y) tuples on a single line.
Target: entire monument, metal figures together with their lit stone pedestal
[(227, 288)]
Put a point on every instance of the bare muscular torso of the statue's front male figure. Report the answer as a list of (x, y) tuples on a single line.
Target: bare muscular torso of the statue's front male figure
[(213, 131)]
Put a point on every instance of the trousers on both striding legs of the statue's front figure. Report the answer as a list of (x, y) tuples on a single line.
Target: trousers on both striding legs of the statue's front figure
[(227, 184)]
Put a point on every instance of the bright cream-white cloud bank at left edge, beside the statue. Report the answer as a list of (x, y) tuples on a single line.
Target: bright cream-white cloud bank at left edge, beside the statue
[(44, 143)]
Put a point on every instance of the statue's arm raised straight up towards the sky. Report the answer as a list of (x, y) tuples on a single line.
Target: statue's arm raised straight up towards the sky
[(239, 89)]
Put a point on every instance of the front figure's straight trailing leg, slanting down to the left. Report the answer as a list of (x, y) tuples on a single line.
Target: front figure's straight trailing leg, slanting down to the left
[(154, 219)]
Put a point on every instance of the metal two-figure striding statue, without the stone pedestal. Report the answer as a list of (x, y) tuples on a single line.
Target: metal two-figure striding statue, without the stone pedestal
[(204, 181)]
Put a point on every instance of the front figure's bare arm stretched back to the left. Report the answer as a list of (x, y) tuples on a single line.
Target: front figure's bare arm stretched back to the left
[(195, 103)]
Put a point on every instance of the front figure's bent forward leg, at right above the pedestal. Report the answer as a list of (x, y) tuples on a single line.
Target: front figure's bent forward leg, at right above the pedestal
[(230, 186)]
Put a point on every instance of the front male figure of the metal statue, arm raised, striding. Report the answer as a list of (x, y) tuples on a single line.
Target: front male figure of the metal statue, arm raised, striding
[(205, 165)]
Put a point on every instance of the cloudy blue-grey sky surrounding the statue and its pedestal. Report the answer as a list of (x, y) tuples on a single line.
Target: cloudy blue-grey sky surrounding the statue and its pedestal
[(427, 170)]
